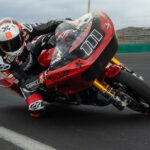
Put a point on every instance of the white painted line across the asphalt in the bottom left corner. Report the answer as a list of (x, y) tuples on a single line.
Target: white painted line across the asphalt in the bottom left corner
[(22, 141)]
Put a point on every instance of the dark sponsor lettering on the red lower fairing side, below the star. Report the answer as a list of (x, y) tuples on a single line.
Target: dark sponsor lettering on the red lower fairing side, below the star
[(59, 75)]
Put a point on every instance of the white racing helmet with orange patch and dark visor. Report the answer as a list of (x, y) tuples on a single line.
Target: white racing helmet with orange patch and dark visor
[(11, 37)]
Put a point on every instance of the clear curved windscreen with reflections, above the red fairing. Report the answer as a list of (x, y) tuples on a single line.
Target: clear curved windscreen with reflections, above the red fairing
[(69, 35)]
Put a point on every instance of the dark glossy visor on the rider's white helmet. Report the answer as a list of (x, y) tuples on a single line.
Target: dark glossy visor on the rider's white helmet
[(12, 45)]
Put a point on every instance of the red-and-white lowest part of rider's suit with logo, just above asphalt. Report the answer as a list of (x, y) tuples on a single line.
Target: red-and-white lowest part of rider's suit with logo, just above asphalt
[(35, 105)]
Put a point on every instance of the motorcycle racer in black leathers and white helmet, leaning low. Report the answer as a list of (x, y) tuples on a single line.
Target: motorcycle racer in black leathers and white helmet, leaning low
[(20, 55)]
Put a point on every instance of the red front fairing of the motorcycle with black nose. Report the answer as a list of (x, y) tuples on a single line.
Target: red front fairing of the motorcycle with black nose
[(71, 72)]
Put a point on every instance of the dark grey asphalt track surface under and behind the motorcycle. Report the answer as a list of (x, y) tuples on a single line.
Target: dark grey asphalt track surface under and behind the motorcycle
[(81, 127)]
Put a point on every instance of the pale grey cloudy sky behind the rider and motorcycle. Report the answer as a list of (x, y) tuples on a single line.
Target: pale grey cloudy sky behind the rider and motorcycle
[(122, 12)]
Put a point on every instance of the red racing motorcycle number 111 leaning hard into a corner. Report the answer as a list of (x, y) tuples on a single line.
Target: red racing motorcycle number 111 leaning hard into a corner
[(83, 69)]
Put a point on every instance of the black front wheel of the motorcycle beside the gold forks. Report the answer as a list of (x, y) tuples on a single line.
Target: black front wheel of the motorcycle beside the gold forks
[(134, 89)]
